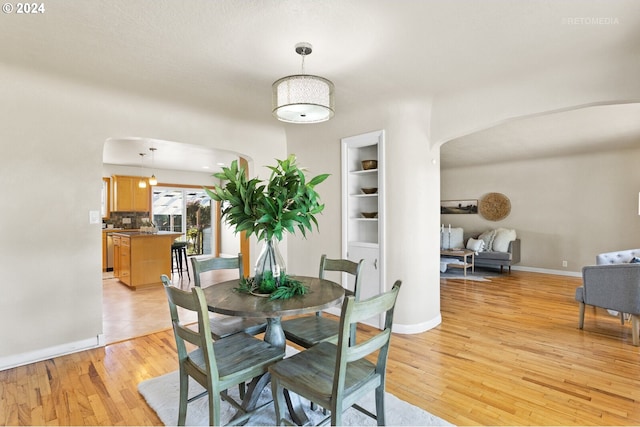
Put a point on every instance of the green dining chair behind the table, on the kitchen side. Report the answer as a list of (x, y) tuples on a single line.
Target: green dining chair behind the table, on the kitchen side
[(221, 325)]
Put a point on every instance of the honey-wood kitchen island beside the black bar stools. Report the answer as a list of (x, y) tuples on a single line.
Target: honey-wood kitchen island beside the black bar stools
[(141, 258)]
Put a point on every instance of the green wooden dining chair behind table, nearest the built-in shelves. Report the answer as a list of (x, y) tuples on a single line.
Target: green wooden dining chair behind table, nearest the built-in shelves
[(308, 331)]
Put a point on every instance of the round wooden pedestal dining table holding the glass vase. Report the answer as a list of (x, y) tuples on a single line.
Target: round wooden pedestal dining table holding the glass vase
[(224, 298)]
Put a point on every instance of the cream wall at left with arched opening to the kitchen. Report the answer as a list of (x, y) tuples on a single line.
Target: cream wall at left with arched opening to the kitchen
[(50, 256)]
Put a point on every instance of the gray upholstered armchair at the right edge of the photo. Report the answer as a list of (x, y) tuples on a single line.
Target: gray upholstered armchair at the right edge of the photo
[(614, 287)]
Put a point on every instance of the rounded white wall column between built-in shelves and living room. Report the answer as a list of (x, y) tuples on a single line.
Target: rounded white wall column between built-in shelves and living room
[(413, 192)]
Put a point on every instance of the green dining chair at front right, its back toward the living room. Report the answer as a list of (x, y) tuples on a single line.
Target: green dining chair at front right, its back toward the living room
[(337, 376)]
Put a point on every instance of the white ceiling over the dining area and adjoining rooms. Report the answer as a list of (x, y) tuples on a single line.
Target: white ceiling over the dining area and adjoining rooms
[(223, 55)]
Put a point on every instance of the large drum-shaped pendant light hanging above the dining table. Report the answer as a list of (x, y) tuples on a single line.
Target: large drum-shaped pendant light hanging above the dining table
[(303, 98)]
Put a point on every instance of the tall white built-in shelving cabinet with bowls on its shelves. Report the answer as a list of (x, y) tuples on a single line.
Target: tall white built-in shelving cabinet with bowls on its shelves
[(363, 206)]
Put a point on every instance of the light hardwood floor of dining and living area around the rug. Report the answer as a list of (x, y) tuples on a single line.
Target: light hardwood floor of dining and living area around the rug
[(508, 352)]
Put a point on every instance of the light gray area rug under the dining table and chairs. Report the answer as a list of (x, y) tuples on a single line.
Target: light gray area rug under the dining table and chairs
[(162, 395)]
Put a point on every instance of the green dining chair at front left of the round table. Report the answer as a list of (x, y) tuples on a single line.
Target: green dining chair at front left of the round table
[(217, 366)]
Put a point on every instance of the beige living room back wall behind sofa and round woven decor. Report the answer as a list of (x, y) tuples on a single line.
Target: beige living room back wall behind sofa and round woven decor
[(564, 208)]
